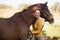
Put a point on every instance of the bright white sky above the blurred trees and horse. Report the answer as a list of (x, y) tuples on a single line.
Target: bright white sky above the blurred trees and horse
[(15, 3)]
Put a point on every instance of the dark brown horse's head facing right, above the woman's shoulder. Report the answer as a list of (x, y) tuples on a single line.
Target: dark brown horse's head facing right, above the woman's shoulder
[(45, 13)]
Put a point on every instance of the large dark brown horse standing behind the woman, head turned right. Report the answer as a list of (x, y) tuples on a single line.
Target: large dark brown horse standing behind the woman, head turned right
[(17, 26)]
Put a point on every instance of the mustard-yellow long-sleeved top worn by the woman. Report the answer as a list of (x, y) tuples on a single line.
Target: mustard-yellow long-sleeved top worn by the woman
[(37, 28)]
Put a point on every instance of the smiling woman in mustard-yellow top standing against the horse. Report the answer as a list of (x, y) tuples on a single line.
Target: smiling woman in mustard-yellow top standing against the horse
[(37, 27)]
